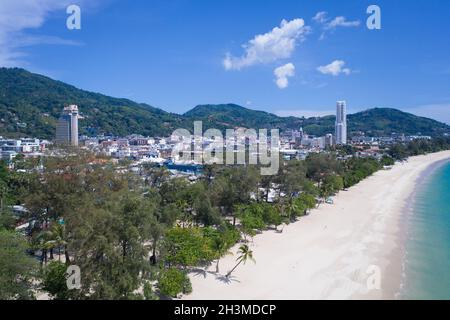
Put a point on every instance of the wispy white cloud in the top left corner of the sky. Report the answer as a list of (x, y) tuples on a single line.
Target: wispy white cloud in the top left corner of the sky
[(16, 18)]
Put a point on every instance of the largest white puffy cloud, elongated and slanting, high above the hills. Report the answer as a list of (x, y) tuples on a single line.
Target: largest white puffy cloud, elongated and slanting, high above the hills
[(277, 44)]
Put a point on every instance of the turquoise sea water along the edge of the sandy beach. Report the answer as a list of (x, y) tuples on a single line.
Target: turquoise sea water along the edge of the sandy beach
[(427, 254)]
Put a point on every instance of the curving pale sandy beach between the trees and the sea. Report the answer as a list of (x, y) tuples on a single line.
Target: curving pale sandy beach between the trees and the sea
[(326, 255)]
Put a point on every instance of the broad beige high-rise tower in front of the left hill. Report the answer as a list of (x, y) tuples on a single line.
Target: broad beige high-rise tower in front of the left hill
[(67, 126)]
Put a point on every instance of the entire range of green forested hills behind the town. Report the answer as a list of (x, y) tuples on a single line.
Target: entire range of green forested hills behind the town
[(31, 103)]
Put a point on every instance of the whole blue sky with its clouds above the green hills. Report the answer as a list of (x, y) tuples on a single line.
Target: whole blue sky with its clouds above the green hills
[(175, 54)]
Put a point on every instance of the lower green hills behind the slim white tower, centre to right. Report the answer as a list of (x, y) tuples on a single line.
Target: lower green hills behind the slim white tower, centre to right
[(376, 122)]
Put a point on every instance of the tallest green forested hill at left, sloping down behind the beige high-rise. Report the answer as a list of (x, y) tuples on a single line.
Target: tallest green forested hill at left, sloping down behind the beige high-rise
[(31, 103)]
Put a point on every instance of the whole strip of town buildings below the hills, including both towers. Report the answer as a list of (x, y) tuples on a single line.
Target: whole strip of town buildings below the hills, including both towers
[(293, 144)]
